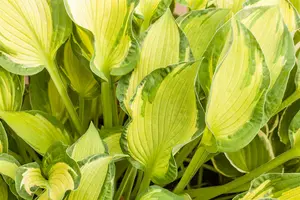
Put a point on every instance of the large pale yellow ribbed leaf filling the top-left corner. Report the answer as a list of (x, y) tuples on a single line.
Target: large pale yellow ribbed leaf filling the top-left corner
[(24, 39)]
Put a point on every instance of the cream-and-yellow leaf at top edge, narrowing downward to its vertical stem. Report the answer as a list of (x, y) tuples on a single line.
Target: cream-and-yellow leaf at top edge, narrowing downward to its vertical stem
[(110, 23)]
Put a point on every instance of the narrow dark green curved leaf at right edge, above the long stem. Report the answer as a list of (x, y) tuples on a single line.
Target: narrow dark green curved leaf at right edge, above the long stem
[(285, 121)]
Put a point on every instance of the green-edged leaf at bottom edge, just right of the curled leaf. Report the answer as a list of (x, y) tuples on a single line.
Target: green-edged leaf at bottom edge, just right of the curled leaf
[(97, 179)]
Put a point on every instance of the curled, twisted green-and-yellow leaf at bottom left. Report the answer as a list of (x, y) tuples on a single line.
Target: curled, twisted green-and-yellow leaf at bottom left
[(57, 175)]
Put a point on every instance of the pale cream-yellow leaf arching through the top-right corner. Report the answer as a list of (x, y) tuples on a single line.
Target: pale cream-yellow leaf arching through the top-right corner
[(288, 11)]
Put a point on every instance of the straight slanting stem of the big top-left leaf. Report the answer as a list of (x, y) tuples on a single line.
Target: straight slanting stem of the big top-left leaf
[(62, 90)]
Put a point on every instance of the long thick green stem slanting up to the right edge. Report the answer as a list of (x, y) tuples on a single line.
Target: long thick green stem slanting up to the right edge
[(211, 192)]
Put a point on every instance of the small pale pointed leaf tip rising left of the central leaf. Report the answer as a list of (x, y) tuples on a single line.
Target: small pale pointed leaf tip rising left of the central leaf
[(87, 145)]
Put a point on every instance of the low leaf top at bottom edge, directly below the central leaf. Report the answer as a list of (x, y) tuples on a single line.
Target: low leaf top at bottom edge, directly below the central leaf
[(156, 192)]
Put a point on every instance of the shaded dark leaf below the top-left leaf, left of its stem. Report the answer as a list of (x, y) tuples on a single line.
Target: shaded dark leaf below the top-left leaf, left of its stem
[(44, 95)]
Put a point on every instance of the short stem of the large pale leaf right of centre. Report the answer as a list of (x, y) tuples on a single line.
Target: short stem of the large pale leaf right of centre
[(198, 159)]
